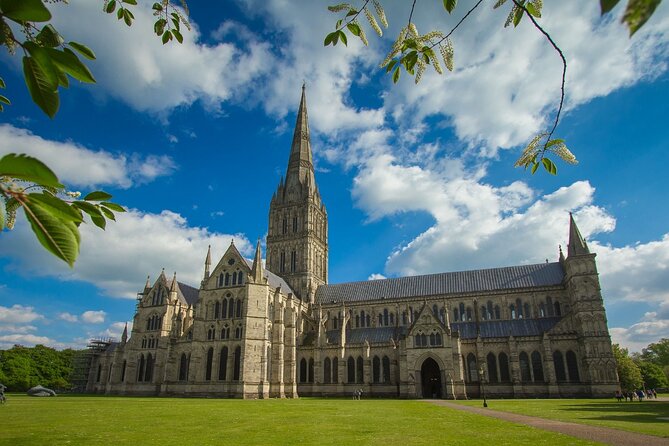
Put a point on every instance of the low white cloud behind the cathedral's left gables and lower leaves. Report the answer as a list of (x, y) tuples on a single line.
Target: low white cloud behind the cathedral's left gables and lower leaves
[(118, 259)]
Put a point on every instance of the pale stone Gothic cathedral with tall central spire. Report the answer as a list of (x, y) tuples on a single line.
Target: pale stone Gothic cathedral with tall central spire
[(279, 330)]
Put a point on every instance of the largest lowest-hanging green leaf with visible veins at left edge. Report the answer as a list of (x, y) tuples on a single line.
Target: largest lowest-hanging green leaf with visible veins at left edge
[(59, 237)]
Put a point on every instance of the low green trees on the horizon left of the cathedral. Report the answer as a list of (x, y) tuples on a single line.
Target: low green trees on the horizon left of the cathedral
[(22, 368)]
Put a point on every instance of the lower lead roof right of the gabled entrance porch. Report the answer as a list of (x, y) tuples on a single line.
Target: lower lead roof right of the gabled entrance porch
[(505, 328)]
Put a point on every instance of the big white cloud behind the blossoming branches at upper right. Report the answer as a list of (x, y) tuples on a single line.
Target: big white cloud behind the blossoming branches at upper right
[(506, 84)]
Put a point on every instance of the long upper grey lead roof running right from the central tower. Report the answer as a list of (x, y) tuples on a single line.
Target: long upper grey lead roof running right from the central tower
[(523, 276)]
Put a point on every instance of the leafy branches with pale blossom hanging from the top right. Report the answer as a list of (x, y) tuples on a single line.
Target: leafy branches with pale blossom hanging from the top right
[(413, 52)]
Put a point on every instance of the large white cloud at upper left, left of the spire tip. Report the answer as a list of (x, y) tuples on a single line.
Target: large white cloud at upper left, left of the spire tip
[(134, 66)]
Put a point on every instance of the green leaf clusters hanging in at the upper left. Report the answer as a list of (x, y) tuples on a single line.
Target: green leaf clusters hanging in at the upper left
[(53, 212)]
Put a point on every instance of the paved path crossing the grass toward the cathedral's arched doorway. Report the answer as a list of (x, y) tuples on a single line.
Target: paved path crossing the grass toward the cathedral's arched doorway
[(586, 432)]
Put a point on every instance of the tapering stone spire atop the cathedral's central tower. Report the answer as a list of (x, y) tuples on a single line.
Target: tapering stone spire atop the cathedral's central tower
[(301, 161)]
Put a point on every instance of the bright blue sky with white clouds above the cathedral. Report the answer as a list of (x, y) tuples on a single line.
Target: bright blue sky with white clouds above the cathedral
[(193, 139)]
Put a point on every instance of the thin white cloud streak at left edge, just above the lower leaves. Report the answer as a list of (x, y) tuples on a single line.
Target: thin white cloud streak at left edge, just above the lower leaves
[(76, 165)]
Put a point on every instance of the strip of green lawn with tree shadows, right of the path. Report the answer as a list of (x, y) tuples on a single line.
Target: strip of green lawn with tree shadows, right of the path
[(648, 417)]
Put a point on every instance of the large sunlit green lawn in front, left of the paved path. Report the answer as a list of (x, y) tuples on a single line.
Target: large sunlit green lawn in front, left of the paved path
[(90, 420)]
